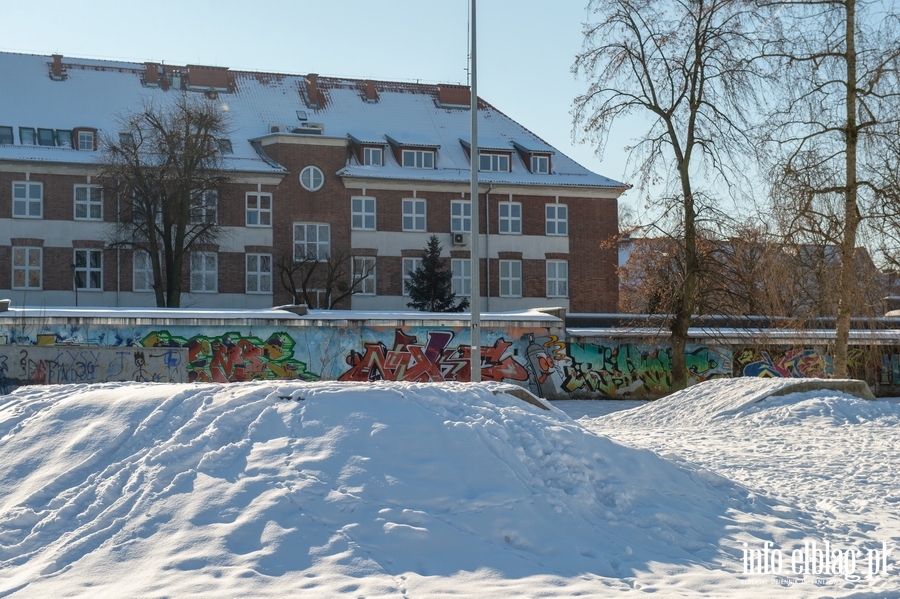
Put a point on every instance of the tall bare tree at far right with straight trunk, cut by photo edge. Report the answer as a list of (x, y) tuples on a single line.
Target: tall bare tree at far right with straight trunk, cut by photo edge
[(837, 61)]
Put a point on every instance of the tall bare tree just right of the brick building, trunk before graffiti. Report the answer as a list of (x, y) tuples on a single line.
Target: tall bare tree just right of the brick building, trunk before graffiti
[(679, 63)]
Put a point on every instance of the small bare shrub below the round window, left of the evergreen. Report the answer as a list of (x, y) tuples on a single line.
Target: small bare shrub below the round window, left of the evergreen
[(324, 281)]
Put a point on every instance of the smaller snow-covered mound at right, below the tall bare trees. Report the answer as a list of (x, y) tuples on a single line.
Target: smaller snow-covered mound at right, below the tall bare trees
[(723, 399)]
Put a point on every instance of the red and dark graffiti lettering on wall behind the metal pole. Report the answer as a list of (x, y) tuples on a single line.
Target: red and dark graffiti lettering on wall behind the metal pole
[(435, 360)]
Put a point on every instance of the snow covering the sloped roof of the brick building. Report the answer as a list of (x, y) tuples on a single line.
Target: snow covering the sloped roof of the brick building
[(97, 93)]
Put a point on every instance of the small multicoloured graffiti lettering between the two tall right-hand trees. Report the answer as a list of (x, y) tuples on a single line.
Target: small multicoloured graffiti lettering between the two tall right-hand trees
[(783, 363)]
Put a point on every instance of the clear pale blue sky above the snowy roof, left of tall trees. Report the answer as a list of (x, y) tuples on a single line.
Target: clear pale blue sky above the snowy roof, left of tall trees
[(525, 47)]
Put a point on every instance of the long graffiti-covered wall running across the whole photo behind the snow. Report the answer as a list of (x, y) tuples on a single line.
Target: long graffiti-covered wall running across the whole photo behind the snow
[(550, 365)]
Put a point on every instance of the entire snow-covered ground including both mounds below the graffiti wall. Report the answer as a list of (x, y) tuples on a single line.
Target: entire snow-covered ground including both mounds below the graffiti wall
[(452, 490)]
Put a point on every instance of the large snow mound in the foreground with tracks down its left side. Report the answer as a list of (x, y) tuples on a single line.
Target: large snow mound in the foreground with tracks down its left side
[(270, 489)]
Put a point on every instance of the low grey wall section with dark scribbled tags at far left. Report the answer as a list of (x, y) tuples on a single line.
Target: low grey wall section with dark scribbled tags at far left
[(48, 365)]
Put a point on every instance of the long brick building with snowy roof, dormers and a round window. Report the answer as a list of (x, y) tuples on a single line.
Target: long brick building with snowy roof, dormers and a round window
[(328, 165)]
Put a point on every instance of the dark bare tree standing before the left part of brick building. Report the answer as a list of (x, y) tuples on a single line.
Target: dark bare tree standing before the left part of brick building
[(166, 164)]
